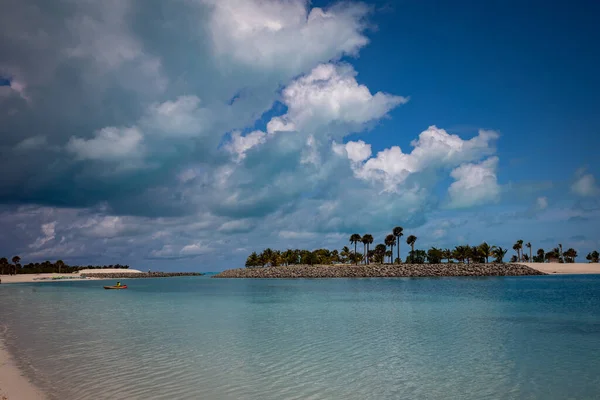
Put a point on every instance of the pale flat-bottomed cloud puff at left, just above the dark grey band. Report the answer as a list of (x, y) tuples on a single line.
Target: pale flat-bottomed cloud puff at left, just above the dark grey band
[(111, 144)]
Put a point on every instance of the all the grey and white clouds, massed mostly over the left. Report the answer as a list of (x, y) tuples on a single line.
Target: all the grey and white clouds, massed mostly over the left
[(131, 137)]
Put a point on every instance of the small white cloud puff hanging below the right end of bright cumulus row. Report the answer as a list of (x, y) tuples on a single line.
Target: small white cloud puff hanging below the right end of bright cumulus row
[(475, 184)]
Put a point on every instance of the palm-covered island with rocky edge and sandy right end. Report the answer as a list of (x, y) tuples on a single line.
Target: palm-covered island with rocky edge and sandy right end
[(382, 261)]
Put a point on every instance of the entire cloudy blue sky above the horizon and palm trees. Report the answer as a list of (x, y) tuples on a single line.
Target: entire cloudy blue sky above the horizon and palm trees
[(184, 135)]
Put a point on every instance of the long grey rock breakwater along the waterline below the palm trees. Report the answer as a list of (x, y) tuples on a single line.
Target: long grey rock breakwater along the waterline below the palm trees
[(380, 271)]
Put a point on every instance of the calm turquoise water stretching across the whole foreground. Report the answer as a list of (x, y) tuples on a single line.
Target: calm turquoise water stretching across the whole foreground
[(201, 338)]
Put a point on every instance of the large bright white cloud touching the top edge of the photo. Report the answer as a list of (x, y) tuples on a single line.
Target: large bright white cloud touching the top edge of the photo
[(268, 34)]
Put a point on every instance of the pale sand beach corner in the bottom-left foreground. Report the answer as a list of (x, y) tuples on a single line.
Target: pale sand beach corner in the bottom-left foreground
[(13, 385)]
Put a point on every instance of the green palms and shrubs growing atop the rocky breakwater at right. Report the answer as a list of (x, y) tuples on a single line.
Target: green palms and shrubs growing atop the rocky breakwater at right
[(482, 253)]
